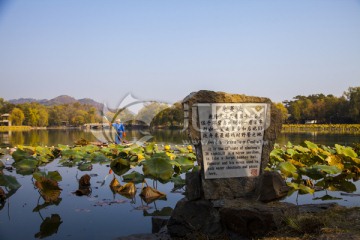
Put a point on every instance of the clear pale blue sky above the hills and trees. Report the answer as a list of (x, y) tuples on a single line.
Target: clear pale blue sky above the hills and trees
[(163, 50)]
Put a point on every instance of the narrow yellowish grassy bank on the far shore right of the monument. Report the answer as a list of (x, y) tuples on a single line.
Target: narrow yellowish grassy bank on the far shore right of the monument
[(321, 128)]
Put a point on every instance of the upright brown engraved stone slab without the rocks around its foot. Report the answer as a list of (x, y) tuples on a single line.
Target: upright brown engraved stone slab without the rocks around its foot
[(233, 135)]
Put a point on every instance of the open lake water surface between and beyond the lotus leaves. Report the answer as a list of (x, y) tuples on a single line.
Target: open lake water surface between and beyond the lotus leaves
[(103, 215)]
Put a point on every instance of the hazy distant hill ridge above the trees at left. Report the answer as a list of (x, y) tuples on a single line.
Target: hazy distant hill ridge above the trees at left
[(62, 99)]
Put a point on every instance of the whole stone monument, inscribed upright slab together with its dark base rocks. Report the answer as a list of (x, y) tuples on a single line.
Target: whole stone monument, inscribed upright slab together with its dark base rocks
[(233, 136)]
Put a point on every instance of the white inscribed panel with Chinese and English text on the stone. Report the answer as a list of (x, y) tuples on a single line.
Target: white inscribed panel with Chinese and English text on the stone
[(232, 138)]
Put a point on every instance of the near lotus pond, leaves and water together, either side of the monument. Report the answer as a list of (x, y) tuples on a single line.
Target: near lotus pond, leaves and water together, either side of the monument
[(105, 192)]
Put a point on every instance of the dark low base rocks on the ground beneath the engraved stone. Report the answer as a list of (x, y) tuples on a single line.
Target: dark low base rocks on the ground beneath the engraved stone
[(237, 218)]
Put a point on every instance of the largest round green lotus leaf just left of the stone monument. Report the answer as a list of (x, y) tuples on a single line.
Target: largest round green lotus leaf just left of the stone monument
[(158, 167)]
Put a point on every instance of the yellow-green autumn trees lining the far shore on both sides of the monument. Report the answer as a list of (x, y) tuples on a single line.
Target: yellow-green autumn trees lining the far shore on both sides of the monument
[(320, 108)]
